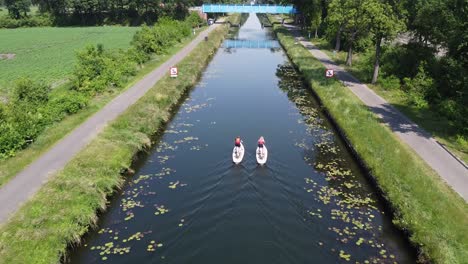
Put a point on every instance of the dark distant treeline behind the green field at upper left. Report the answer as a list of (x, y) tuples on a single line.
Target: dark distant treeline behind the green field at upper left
[(94, 12)]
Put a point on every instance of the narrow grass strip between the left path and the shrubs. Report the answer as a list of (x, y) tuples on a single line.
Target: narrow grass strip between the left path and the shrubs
[(12, 166)]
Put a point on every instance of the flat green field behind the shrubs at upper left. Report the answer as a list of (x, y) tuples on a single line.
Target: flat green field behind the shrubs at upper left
[(48, 53)]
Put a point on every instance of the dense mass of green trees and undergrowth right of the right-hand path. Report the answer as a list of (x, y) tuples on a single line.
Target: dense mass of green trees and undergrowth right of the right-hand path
[(429, 59)]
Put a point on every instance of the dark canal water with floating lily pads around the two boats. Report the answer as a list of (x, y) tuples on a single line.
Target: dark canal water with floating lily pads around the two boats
[(188, 203)]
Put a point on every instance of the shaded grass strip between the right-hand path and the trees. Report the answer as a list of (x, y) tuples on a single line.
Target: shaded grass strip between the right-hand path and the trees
[(438, 125)]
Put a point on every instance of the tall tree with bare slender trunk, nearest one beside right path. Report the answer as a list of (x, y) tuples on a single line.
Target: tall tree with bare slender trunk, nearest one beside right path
[(384, 25)]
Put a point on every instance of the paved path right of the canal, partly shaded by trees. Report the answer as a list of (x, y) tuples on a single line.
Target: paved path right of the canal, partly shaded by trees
[(453, 171)]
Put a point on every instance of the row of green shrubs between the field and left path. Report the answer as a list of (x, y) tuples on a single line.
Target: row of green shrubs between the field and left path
[(25, 115)]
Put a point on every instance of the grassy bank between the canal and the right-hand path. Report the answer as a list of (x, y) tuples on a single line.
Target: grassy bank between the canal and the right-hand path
[(425, 208)]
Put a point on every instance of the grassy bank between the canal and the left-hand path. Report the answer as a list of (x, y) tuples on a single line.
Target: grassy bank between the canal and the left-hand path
[(67, 206)]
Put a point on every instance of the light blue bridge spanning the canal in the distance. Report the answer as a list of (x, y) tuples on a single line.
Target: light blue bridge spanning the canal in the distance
[(266, 9)]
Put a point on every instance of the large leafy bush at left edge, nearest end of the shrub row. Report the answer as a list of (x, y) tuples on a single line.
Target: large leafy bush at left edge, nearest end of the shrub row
[(30, 110)]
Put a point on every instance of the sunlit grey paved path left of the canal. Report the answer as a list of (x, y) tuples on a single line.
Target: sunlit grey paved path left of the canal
[(28, 182)]
